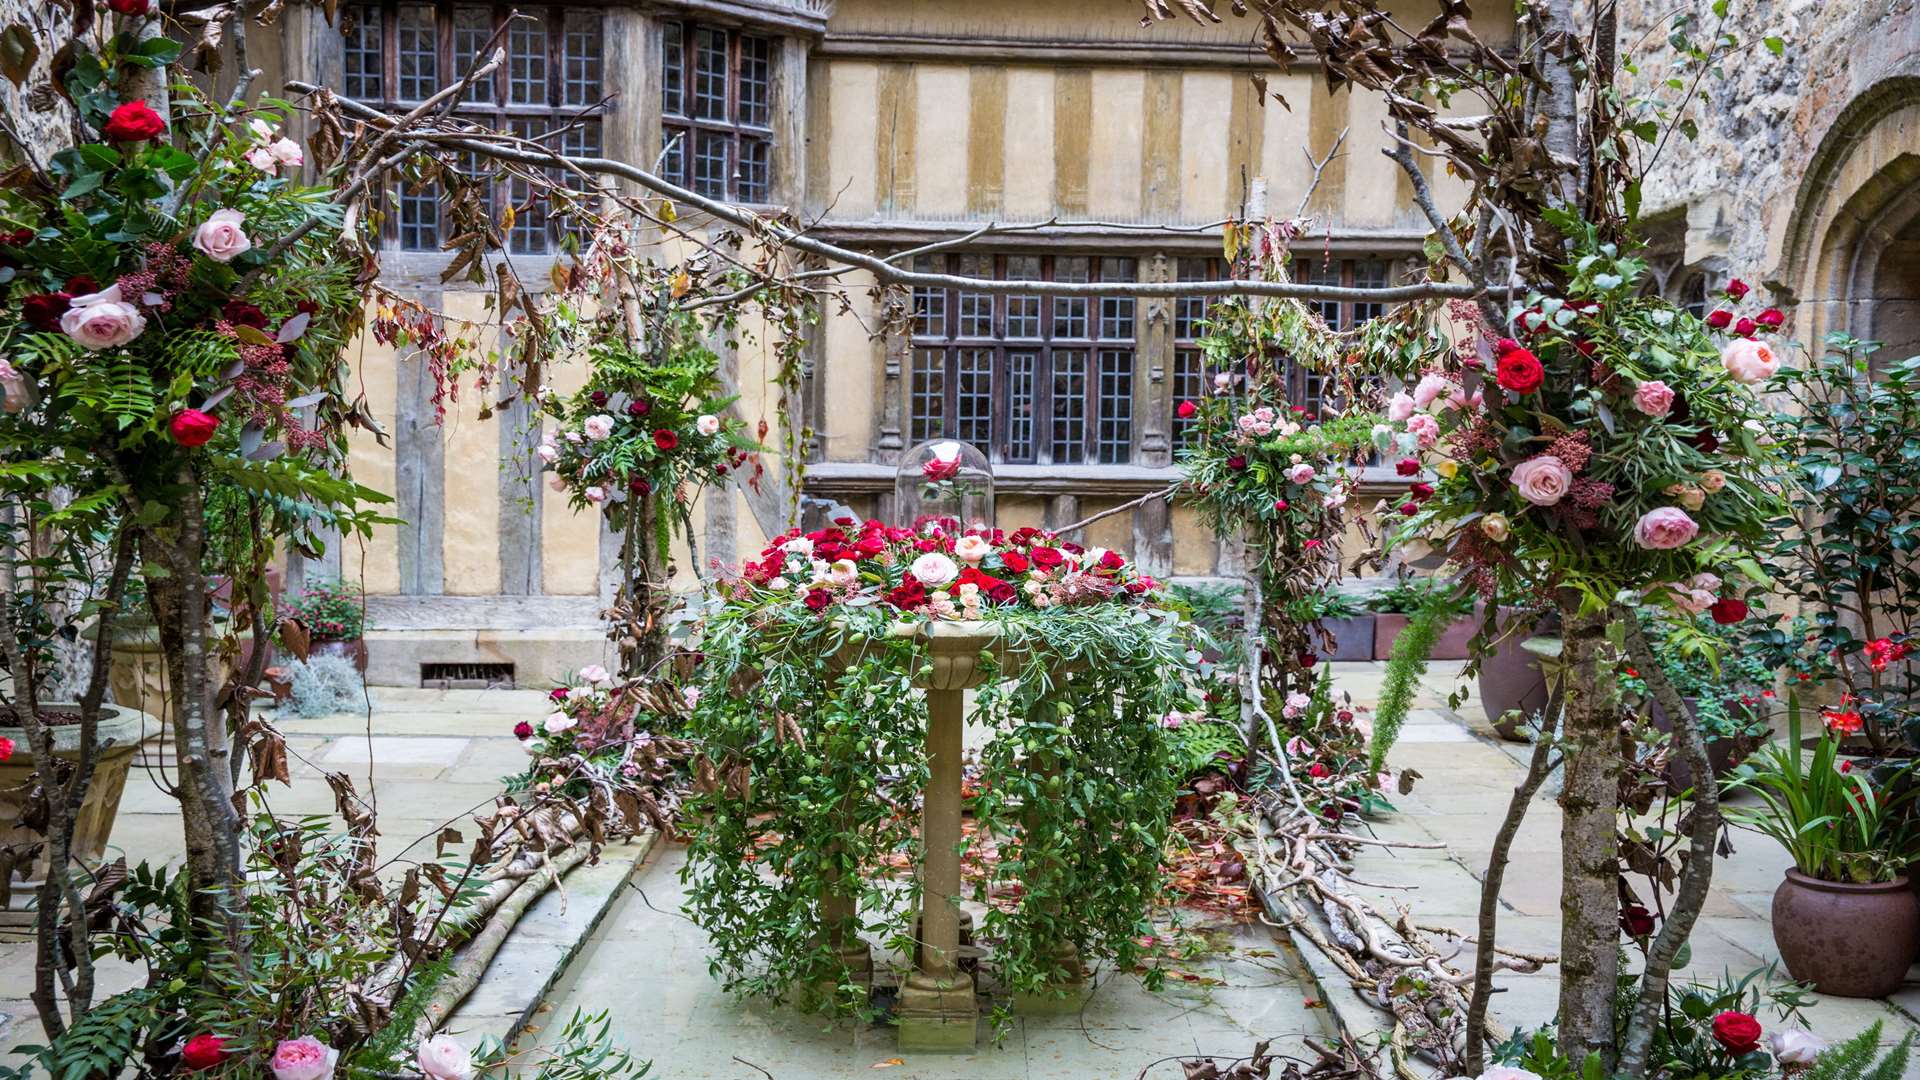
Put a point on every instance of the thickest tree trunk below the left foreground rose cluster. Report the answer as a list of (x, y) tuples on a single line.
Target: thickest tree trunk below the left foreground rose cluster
[(210, 820)]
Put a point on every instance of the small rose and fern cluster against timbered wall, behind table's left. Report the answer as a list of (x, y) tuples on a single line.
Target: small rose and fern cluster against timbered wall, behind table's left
[(642, 426)]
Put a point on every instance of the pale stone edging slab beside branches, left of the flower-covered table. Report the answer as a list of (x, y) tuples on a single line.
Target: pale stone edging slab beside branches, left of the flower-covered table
[(542, 945)]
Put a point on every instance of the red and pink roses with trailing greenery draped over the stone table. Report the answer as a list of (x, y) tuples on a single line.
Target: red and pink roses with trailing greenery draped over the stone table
[(813, 747)]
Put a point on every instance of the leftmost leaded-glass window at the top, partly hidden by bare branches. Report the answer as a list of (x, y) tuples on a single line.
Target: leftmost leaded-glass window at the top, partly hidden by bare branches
[(573, 84)]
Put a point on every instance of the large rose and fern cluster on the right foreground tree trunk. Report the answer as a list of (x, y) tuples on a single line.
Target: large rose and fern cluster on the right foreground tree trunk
[(1616, 443)]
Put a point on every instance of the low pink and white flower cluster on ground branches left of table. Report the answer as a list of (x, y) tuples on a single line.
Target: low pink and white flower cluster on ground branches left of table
[(610, 743)]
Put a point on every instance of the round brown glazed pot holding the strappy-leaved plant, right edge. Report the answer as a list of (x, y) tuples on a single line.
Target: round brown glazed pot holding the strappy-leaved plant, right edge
[(1846, 941)]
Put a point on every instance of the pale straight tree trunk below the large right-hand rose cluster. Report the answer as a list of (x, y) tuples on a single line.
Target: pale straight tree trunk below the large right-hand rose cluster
[(1591, 904)]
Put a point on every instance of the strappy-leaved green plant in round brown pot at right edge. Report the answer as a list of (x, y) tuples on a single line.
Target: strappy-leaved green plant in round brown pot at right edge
[(1844, 918)]
